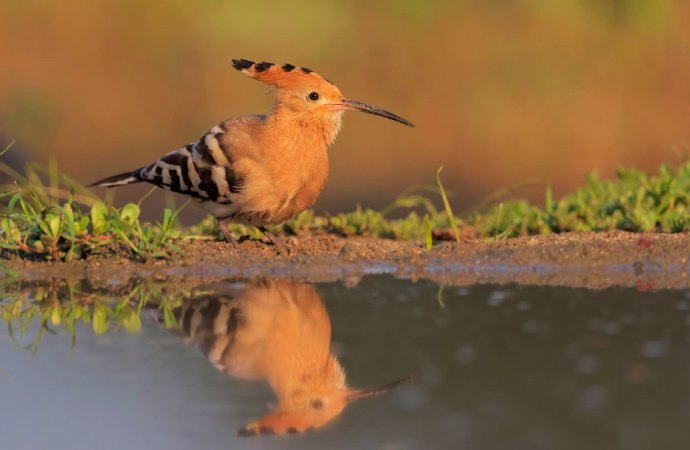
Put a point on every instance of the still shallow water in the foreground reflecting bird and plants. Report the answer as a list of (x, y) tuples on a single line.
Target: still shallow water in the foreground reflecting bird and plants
[(495, 367)]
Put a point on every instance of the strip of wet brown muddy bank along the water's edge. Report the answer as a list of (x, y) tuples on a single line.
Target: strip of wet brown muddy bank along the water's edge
[(594, 260)]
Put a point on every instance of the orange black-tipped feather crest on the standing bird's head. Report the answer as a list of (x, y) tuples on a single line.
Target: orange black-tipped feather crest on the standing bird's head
[(276, 75)]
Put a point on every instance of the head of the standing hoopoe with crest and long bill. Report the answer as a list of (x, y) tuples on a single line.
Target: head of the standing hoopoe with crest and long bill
[(304, 94)]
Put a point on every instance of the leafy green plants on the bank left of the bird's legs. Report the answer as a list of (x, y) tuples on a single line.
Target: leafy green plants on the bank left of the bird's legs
[(49, 216)]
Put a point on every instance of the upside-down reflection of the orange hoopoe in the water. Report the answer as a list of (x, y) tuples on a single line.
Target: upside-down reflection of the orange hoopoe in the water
[(279, 331)]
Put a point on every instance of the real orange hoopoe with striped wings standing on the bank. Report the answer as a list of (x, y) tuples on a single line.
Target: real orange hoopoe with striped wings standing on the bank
[(260, 170)]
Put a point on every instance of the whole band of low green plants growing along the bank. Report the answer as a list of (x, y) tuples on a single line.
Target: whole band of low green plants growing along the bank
[(45, 215)]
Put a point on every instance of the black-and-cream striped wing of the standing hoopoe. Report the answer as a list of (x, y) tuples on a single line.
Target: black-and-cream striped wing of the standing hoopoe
[(201, 169)]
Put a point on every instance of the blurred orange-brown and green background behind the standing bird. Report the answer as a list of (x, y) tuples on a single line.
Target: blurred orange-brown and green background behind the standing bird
[(501, 91)]
